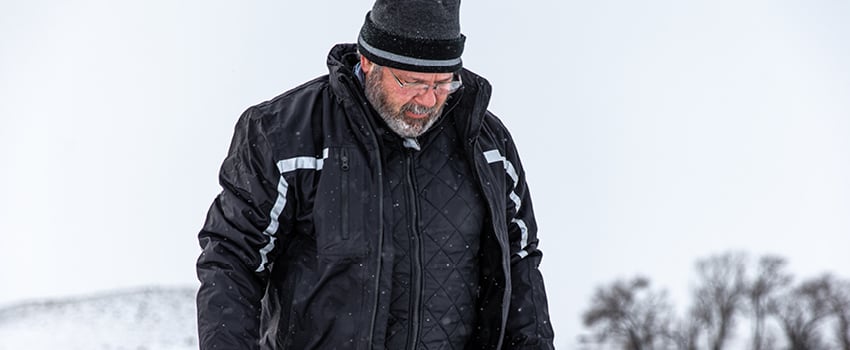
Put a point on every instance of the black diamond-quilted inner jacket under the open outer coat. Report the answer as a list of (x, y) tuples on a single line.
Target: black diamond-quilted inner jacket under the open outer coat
[(436, 221)]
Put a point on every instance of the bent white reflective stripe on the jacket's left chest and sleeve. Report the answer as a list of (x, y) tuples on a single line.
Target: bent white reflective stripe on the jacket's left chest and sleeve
[(285, 166)]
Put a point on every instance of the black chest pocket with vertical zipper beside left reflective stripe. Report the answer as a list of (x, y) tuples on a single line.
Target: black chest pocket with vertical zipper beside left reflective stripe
[(342, 205)]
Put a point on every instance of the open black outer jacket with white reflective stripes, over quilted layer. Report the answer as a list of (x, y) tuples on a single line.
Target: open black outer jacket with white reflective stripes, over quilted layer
[(294, 247)]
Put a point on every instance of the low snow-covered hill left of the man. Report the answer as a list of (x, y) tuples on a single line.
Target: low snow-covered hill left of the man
[(148, 319)]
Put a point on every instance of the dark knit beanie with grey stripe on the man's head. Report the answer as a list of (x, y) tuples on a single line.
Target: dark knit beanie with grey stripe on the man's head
[(414, 35)]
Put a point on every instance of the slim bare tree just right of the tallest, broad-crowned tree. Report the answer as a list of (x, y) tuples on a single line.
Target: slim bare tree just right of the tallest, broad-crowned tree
[(769, 279)]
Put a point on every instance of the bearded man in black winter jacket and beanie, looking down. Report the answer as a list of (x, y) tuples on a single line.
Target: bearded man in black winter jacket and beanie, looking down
[(378, 207)]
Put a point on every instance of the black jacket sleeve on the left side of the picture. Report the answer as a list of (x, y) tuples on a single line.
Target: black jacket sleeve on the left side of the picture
[(237, 239)]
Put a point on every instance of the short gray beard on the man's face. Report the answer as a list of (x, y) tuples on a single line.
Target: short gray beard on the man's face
[(397, 121)]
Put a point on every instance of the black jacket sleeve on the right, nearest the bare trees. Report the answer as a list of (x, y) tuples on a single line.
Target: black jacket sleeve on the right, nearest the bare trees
[(528, 325)]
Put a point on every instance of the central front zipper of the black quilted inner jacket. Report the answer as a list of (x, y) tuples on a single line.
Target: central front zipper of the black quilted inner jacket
[(416, 285)]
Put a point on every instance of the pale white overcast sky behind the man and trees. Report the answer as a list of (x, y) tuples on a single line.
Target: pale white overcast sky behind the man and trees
[(654, 133)]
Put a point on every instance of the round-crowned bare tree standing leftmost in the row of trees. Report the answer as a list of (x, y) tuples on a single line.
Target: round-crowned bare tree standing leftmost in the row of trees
[(629, 314)]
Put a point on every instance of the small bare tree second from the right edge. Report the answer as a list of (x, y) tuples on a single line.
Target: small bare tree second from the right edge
[(802, 311)]
